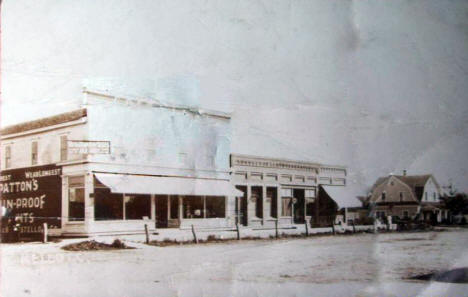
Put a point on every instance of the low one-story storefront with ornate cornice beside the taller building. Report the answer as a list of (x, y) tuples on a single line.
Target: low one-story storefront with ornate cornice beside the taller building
[(290, 192)]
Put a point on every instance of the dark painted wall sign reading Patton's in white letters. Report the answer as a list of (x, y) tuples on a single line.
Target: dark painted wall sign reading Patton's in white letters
[(30, 197)]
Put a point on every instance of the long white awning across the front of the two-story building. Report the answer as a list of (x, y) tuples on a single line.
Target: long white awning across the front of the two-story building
[(138, 184)]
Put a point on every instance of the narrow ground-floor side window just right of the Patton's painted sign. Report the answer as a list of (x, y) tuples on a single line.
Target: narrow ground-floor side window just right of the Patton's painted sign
[(76, 198)]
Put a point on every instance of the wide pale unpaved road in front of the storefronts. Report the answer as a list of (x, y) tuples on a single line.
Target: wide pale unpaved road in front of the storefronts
[(359, 265)]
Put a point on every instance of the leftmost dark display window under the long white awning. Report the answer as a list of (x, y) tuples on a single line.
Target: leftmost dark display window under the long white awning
[(107, 205)]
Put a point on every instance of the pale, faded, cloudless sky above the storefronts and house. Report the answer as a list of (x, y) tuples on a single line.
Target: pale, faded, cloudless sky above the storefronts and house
[(377, 86)]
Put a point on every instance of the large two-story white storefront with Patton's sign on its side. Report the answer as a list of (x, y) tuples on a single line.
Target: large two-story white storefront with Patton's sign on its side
[(117, 165)]
